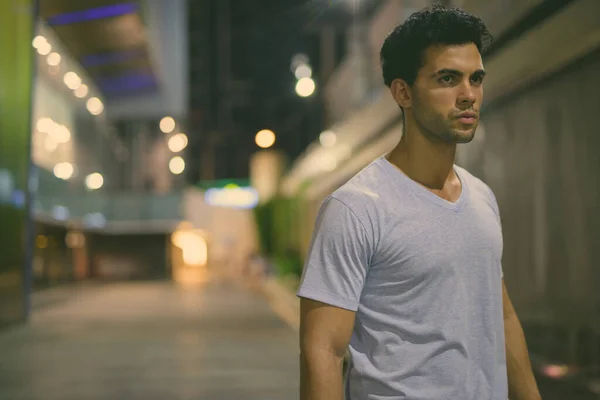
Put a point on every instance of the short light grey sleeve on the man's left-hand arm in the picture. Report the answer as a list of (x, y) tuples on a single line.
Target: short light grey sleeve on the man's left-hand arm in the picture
[(338, 258)]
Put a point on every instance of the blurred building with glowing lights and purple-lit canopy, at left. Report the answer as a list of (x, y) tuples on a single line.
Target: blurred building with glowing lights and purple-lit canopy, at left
[(97, 94)]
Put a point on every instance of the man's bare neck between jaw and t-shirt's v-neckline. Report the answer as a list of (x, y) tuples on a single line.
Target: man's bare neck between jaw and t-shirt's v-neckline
[(424, 161)]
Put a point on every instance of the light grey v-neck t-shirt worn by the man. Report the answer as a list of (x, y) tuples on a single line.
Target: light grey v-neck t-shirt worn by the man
[(424, 277)]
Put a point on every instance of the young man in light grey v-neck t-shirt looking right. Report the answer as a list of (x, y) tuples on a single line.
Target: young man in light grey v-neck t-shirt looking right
[(404, 269)]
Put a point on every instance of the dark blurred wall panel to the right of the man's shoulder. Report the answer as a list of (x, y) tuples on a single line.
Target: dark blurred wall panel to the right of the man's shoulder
[(539, 153)]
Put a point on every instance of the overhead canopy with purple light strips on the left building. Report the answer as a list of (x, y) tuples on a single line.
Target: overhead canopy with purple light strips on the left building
[(107, 37)]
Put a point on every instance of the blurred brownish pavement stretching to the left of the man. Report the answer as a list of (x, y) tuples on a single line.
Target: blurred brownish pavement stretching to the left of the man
[(151, 341)]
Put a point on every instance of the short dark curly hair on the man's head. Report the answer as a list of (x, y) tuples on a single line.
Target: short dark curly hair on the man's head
[(403, 49)]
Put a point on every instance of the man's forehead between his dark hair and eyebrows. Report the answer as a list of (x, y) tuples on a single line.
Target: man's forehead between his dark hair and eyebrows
[(465, 58)]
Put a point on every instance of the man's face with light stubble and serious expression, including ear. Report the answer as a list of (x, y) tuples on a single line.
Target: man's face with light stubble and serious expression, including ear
[(447, 94)]
